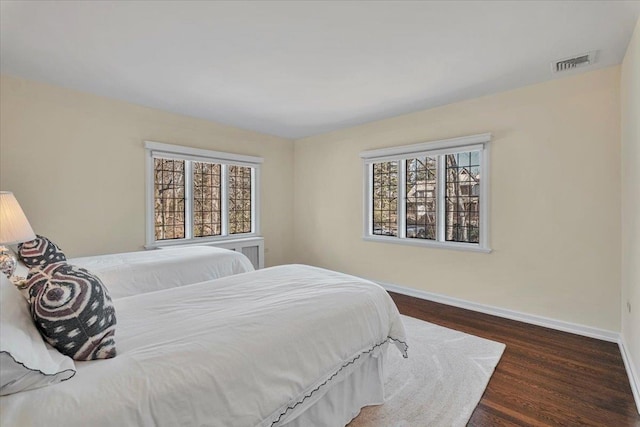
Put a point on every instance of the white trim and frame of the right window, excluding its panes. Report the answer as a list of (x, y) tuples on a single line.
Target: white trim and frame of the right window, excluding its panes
[(478, 142)]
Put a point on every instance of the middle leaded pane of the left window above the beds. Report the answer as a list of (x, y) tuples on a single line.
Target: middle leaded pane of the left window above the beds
[(206, 200)]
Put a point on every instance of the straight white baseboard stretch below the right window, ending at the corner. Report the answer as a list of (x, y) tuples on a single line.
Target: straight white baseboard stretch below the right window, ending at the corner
[(546, 322)]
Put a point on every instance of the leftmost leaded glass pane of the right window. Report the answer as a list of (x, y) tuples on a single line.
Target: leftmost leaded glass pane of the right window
[(385, 199)]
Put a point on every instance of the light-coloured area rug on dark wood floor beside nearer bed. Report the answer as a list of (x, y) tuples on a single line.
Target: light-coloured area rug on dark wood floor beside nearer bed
[(441, 382)]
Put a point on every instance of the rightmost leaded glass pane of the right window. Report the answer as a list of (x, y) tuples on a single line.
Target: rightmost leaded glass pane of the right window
[(462, 193)]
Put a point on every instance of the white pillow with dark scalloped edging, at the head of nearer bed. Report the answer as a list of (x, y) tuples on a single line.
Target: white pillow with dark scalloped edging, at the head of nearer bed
[(26, 361)]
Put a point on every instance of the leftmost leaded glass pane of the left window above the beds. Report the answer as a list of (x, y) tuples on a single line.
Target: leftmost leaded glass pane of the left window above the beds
[(168, 199)]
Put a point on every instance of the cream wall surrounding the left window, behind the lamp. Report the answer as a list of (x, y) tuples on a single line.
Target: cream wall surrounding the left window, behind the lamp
[(76, 164)]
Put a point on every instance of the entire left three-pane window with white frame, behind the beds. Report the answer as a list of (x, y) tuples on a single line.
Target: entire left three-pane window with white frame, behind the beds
[(196, 195)]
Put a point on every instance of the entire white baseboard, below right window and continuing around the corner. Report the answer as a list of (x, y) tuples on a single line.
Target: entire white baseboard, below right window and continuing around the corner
[(546, 322)]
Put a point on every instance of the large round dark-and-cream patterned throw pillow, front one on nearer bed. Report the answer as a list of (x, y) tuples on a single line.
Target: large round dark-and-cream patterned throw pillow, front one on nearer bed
[(73, 311)]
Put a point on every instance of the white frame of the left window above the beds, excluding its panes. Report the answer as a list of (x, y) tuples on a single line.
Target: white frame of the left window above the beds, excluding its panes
[(178, 152)]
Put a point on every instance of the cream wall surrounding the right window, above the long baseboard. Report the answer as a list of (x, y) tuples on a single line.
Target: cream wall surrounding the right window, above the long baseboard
[(555, 201)]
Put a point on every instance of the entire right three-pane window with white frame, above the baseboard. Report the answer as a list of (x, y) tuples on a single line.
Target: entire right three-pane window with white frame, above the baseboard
[(432, 194)]
